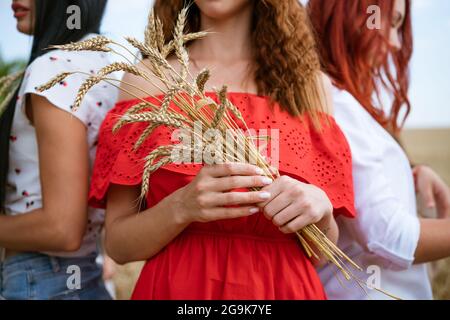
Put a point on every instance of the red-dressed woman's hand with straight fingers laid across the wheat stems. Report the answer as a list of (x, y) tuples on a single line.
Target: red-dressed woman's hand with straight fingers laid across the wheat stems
[(209, 196)]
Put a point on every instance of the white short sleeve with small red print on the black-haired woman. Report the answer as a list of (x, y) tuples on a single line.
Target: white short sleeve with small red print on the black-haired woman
[(63, 94)]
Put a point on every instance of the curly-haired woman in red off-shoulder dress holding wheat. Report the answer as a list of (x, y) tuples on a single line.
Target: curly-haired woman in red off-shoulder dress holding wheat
[(203, 239)]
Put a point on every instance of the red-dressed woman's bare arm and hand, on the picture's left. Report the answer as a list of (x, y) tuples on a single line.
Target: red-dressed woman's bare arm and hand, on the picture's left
[(133, 236)]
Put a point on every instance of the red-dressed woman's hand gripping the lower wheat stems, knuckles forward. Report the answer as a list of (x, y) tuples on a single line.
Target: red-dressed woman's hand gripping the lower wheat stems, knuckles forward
[(294, 205)]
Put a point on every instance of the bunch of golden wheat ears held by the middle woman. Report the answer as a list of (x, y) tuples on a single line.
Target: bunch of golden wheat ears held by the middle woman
[(193, 106)]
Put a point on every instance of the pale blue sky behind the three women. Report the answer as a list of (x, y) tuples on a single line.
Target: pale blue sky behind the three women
[(430, 67)]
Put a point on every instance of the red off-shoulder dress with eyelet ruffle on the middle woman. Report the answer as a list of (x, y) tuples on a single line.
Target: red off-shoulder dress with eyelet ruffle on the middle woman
[(246, 258)]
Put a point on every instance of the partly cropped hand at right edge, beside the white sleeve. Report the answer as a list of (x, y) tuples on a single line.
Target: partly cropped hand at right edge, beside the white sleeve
[(433, 190)]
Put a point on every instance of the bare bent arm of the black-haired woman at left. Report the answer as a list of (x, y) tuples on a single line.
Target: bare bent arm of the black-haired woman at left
[(64, 166)]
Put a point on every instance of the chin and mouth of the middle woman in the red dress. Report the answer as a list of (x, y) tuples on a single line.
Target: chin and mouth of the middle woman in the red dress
[(221, 9)]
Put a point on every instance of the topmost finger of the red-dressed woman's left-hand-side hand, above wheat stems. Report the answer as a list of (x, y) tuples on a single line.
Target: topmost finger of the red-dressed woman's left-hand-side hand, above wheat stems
[(238, 182)]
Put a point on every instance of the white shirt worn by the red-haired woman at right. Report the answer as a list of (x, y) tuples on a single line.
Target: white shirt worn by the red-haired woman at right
[(384, 236)]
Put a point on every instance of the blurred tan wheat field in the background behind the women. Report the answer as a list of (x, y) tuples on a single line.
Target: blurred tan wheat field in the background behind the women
[(431, 147)]
